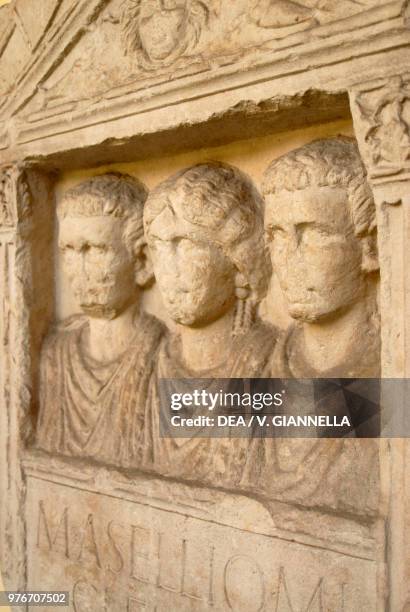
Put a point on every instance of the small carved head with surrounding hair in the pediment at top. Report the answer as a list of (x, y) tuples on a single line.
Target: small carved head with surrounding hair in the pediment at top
[(160, 31)]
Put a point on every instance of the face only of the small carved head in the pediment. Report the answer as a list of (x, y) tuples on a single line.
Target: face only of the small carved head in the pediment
[(159, 28)]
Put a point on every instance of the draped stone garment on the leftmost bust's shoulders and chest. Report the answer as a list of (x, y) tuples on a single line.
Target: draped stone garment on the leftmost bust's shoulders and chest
[(90, 408)]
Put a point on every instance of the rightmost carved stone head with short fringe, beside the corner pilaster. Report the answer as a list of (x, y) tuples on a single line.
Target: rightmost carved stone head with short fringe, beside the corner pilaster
[(320, 223)]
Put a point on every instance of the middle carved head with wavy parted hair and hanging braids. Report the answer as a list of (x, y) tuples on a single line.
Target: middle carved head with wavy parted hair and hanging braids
[(204, 227)]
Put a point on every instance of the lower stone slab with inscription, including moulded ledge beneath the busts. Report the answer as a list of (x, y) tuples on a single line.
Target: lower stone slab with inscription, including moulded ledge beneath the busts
[(119, 541)]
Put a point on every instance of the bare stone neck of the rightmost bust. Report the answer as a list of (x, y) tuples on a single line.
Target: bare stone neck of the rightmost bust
[(342, 340)]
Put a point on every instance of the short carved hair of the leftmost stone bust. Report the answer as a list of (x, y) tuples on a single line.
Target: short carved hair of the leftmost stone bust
[(111, 194)]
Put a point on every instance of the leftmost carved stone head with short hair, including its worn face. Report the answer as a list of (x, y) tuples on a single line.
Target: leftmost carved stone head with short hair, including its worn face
[(101, 239)]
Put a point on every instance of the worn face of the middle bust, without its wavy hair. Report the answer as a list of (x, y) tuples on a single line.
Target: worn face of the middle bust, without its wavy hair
[(196, 280)]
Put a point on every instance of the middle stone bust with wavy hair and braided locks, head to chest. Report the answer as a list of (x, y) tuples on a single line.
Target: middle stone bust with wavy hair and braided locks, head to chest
[(204, 228)]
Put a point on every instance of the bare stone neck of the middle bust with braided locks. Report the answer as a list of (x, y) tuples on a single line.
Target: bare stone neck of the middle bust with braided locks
[(207, 347)]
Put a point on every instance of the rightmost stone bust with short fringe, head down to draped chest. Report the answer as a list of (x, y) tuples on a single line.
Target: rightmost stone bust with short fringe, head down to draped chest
[(320, 226)]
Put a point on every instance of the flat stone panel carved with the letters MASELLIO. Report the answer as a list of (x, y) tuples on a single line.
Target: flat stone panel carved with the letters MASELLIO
[(171, 561)]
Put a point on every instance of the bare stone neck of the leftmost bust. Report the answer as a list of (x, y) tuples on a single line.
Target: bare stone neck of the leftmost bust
[(107, 339)]
